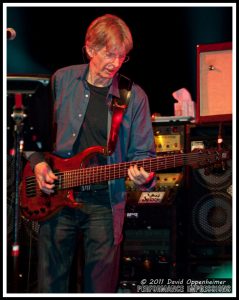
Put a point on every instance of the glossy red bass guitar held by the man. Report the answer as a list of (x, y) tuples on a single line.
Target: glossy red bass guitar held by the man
[(37, 205)]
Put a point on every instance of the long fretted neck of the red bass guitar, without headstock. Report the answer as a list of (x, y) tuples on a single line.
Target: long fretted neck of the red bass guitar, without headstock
[(97, 174)]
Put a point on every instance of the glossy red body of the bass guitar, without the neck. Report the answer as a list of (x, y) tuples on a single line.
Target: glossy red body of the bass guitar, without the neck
[(37, 205)]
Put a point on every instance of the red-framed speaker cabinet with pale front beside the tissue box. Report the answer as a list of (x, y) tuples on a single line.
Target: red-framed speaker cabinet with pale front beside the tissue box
[(214, 82)]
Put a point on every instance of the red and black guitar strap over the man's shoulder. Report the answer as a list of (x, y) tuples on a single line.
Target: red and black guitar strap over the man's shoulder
[(119, 106)]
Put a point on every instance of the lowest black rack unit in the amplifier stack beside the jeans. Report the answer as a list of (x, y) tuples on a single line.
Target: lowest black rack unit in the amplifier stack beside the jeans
[(146, 254)]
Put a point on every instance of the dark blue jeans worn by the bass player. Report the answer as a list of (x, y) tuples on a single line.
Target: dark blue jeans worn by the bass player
[(57, 243)]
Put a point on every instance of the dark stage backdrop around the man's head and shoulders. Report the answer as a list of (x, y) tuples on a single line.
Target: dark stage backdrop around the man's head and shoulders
[(165, 39)]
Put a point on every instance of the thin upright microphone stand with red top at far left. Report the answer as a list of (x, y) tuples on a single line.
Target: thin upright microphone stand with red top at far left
[(18, 115)]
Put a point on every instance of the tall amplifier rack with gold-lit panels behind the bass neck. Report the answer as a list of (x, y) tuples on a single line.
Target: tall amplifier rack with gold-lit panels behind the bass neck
[(150, 227)]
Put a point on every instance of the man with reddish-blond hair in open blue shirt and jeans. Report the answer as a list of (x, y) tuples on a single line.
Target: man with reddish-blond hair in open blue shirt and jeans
[(83, 96)]
